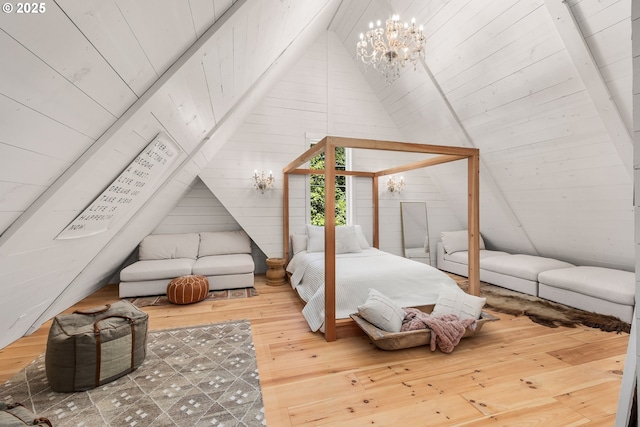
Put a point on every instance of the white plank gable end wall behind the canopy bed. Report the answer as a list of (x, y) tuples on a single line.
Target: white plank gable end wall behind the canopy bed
[(323, 94)]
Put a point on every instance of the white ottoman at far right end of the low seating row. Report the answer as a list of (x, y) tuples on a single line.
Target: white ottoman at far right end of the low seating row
[(596, 289)]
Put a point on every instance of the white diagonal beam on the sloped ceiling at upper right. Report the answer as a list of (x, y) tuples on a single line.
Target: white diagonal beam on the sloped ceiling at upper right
[(589, 72)]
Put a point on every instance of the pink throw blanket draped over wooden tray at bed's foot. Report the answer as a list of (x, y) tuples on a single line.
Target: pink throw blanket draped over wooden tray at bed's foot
[(446, 330)]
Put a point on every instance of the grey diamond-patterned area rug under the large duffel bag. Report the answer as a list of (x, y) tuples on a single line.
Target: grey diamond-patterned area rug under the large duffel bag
[(199, 376)]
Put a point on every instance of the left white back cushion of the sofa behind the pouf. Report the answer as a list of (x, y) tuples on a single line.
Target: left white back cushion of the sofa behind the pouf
[(169, 246)]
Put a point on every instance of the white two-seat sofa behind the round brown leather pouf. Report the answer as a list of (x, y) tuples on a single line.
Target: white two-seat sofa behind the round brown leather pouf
[(224, 257)]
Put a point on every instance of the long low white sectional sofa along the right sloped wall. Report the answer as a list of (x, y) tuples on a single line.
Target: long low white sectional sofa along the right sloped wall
[(596, 289)]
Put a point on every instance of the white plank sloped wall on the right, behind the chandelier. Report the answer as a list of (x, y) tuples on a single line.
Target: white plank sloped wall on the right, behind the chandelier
[(514, 90)]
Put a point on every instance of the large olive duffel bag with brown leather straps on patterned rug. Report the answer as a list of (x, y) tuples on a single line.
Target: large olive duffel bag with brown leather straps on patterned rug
[(86, 349)]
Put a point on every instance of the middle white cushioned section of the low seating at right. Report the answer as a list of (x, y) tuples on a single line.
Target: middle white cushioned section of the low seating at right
[(518, 272)]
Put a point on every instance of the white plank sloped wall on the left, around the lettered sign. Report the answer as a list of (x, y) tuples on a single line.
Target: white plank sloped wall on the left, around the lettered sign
[(81, 87)]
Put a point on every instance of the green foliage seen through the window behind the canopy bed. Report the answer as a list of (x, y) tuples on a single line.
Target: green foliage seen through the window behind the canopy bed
[(317, 189)]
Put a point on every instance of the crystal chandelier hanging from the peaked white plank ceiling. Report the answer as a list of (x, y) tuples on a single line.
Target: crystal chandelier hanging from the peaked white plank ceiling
[(391, 47)]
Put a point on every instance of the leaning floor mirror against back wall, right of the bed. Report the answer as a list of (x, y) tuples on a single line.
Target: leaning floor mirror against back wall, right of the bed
[(415, 231)]
